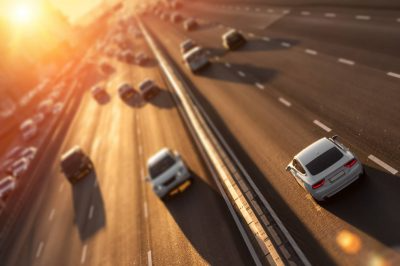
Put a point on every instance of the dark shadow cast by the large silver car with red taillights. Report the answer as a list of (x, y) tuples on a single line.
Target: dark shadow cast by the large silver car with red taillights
[(370, 205)]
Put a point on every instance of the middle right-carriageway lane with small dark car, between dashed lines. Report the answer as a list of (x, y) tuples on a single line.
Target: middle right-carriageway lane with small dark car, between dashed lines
[(292, 74)]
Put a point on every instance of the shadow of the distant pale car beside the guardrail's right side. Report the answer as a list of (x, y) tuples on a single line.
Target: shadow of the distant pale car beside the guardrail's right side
[(253, 73)]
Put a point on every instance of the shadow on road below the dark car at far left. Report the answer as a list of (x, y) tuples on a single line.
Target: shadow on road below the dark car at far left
[(89, 212)]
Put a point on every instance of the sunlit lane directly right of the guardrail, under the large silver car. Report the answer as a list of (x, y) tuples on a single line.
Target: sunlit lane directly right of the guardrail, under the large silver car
[(282, 145)]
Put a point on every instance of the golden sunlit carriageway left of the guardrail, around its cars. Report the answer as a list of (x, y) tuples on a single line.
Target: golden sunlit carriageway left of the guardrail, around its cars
[(113, 217)]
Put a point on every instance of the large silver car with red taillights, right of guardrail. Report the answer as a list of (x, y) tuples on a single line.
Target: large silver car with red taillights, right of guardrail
[(325, 167)]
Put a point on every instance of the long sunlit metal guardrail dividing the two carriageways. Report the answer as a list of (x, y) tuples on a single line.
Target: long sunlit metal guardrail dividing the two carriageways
[(274, 245)]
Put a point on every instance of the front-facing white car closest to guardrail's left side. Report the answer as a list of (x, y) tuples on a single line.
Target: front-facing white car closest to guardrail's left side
[(168, 173)]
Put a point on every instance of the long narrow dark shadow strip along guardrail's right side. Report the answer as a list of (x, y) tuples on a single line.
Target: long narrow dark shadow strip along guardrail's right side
[(302, 235)]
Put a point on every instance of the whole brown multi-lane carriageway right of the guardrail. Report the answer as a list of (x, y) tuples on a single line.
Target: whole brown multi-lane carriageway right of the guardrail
[(289, 86)]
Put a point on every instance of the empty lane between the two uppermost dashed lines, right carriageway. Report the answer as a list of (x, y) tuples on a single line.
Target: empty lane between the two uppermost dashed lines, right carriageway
[(371, 43)]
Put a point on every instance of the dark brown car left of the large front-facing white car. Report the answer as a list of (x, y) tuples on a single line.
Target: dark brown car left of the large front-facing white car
[(75, 164)]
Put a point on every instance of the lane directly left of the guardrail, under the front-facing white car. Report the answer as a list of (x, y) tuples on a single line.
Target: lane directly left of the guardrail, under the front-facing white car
[(177, 232)]
